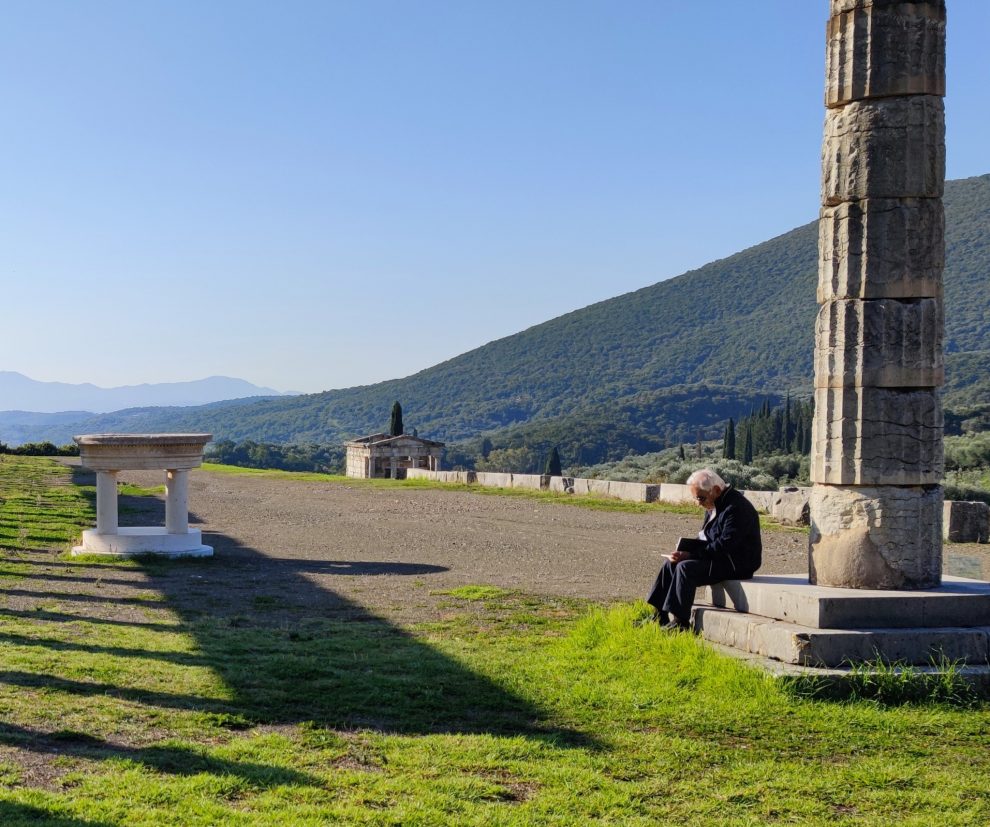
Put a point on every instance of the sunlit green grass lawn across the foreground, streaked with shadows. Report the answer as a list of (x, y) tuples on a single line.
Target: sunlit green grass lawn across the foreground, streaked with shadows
[(121, 706)]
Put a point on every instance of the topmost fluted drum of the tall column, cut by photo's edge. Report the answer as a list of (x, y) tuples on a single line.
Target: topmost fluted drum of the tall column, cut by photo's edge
[(878, 50)]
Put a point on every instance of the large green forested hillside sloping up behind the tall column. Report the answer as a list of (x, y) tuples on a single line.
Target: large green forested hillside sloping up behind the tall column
[(745, 322)]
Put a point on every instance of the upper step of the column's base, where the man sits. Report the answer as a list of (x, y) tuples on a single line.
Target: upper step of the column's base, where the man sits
[(959, 601)]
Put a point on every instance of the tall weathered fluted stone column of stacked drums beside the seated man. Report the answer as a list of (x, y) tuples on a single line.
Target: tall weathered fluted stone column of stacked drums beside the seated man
[(876, 505)]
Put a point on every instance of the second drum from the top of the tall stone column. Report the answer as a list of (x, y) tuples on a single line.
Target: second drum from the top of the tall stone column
[(886, 148)]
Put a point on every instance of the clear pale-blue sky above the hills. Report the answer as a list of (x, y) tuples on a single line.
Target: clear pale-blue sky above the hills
[(315, 195)]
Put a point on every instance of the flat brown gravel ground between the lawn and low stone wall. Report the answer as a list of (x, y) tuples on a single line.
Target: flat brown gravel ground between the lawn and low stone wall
[(339, 548)]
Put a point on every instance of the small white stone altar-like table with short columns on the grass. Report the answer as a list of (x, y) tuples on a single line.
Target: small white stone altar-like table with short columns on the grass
[(175, 454)]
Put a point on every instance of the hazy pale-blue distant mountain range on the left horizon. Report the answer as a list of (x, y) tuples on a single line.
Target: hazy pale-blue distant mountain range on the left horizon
[(20, 393)]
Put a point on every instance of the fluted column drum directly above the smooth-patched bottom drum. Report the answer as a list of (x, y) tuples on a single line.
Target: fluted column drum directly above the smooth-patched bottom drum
[(877, 436)]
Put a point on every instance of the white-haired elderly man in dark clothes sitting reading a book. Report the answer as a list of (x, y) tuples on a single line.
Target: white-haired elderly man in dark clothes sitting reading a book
[(731, 549)]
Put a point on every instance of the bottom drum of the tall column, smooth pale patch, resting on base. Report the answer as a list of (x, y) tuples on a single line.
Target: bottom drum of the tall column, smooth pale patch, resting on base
[(882, 537)]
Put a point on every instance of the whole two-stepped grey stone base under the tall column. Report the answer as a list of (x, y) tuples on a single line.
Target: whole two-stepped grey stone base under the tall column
[(788, 620)]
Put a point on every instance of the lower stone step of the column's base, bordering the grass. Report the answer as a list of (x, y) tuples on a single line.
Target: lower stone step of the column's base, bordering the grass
[(809, 646)]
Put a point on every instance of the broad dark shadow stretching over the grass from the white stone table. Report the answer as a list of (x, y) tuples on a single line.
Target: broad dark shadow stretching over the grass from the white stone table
[(292, 651)]
